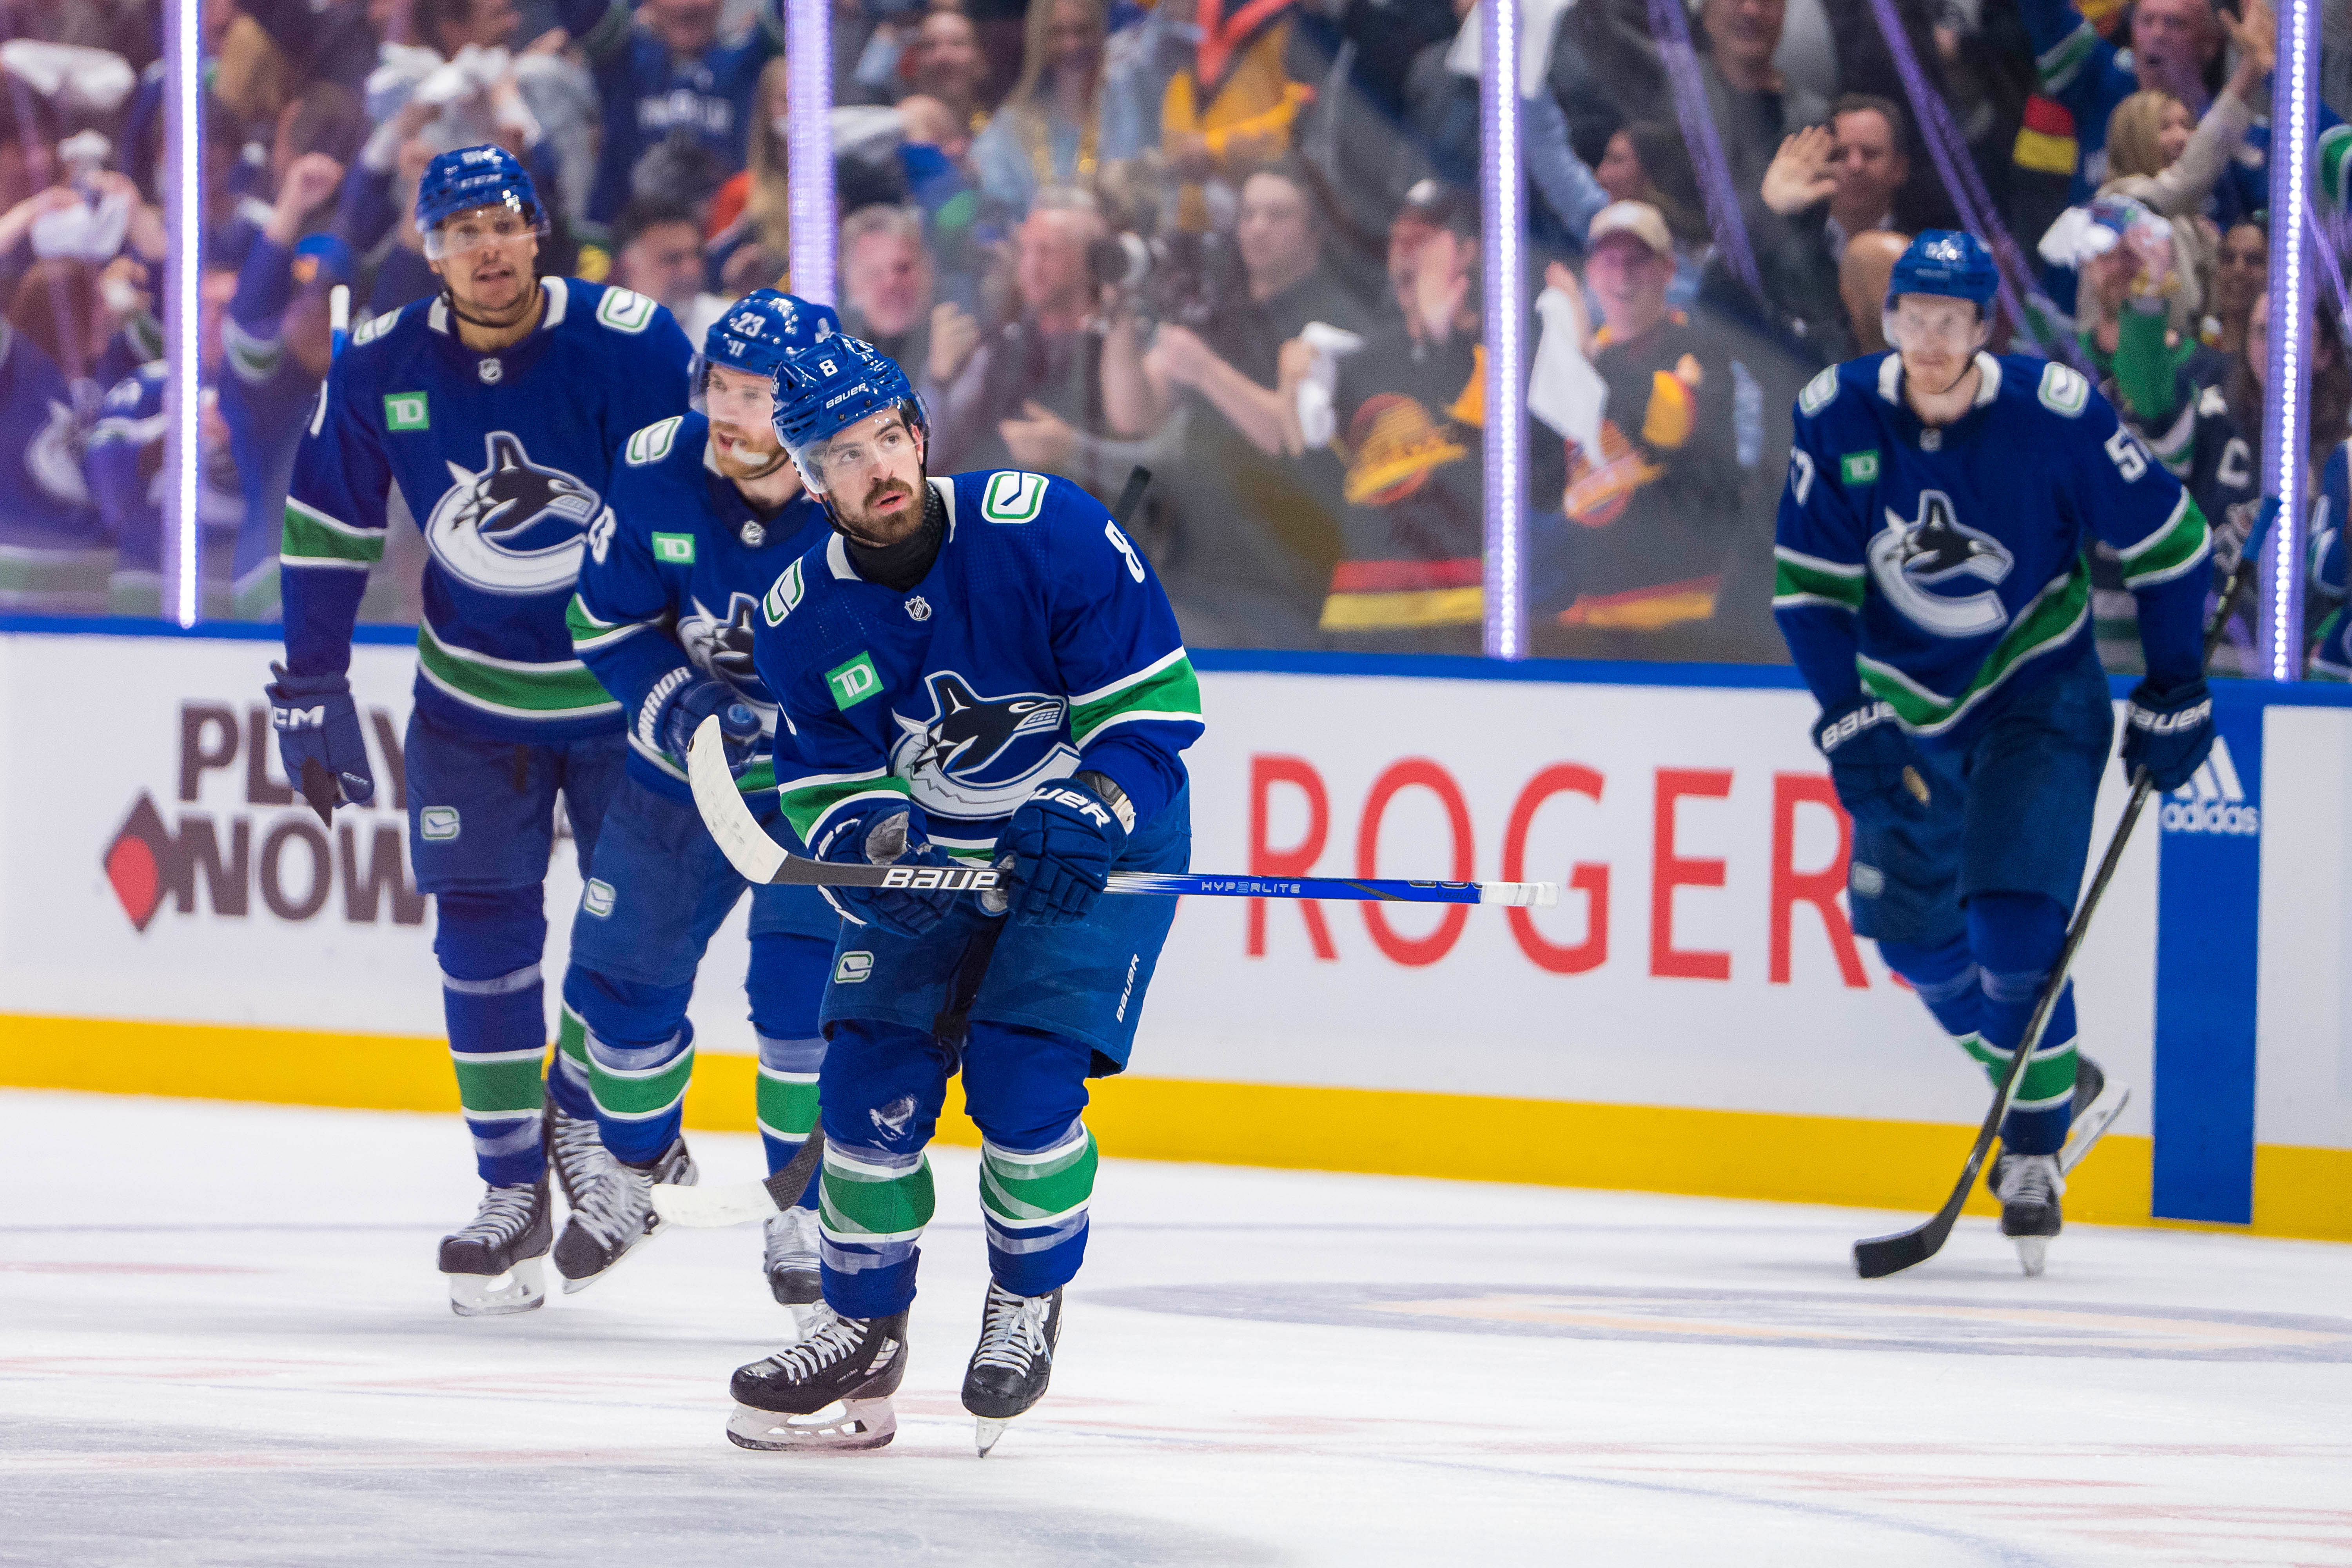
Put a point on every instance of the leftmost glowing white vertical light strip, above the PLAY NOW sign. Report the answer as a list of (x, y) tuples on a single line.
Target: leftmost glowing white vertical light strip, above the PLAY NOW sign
[(185, 215)]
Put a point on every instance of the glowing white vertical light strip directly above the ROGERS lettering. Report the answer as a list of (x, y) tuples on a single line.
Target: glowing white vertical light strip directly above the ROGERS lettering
[(1504, 217)]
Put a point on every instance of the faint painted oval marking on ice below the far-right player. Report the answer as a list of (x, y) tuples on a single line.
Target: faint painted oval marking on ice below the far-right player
[(1772, 1318)]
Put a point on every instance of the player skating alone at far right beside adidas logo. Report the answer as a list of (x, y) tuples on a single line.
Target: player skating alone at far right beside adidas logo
[(1935, 596)]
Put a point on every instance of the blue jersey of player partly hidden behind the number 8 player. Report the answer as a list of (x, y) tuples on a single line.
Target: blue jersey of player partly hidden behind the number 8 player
[(676, 568)]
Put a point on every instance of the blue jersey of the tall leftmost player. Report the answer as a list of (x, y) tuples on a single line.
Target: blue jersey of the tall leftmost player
[(502, 462)]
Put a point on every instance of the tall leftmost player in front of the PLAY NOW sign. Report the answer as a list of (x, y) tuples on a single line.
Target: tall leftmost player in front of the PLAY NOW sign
[(497, 410)]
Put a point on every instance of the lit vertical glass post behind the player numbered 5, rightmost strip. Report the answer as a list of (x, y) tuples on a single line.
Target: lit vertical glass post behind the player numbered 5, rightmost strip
[(2285, 394)]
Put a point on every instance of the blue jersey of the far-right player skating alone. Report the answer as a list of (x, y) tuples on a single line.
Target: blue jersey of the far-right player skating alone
[(1935, 565)]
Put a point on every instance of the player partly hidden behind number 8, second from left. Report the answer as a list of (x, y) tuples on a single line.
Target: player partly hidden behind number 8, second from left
[(702, 514)]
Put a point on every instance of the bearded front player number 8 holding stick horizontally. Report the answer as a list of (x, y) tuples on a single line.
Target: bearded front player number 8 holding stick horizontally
[(982, 666)]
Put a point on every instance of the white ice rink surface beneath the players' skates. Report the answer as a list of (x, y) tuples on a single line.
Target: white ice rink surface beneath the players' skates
[(222, 1341)]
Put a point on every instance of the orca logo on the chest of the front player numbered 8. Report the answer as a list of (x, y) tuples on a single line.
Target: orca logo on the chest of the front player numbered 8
[(980, 756)]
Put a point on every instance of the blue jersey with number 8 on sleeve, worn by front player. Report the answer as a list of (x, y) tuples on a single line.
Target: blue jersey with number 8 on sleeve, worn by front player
[(1038, 643)]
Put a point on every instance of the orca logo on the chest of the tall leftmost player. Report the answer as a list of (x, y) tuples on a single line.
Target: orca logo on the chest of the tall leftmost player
[(514, 528)]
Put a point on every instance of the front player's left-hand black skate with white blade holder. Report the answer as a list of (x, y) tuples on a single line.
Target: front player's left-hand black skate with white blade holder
[(855, 1362)]
